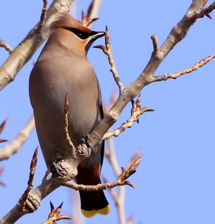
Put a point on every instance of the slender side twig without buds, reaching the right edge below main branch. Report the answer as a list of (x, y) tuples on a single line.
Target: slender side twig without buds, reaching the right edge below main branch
[(185, 71)]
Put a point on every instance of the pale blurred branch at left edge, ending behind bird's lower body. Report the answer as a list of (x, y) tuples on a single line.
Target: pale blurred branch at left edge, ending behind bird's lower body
[(13, 147)]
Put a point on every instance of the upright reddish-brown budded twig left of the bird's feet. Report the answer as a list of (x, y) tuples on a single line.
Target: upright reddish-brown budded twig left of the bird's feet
[(33, 165)]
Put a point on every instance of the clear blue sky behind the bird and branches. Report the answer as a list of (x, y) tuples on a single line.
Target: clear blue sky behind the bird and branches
[(175, 182)]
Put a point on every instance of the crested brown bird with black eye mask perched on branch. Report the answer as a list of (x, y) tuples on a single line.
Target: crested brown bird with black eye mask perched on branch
[(63, 68)]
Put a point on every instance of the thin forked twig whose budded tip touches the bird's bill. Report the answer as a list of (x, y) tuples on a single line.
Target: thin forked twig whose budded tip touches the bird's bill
[(107, 50)]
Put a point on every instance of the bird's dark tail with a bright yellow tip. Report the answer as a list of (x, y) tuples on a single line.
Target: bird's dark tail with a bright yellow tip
[(94, 202)]
